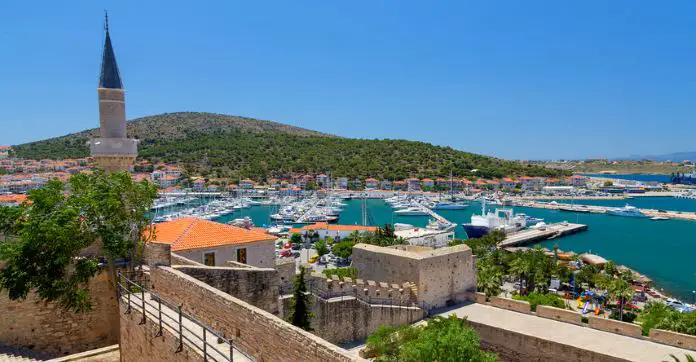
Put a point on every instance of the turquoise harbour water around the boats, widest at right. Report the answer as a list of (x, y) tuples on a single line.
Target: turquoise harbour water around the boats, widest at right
[(663, 250)]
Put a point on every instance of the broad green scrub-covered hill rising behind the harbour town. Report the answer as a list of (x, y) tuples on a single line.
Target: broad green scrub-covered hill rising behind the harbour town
[(228, 146)]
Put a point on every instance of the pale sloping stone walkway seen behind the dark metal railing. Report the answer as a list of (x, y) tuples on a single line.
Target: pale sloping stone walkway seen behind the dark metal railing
[(193, 333)]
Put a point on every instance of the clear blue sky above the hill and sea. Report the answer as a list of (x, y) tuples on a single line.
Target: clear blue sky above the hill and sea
[(515, 79)]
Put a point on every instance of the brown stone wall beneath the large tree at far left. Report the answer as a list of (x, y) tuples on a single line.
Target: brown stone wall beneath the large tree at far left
[(48, 328)]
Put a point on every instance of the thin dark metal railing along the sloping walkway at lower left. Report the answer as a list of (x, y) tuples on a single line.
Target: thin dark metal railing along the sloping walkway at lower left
[(211, 344)]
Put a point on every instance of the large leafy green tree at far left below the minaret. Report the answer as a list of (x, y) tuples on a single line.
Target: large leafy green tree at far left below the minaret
[(66, 230)]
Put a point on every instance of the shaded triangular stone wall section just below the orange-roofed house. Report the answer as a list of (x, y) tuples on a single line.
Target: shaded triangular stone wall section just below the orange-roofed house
[(257, 286)]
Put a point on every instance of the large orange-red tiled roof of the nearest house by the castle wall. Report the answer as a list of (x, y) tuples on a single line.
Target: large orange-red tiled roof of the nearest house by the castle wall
[(193, 233)]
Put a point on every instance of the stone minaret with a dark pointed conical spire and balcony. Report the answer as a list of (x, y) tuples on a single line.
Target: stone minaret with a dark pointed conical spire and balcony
[(113, 151)]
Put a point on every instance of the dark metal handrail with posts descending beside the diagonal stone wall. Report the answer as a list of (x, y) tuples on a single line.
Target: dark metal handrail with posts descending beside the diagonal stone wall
[(137, 298)]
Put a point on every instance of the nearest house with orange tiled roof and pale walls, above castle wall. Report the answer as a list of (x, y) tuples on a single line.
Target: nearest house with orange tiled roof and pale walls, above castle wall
[(214, 244)]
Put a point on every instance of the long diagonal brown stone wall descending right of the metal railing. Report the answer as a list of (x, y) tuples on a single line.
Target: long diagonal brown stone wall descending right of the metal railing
[(263, 335)]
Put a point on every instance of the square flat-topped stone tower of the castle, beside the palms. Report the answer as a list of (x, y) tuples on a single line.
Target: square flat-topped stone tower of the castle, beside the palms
[(442, 276)]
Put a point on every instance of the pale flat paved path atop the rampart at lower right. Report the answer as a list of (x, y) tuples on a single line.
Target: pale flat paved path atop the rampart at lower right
[(628, 348)]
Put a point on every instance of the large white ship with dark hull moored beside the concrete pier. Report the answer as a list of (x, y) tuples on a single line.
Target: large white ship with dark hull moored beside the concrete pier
[(501, 219)]
